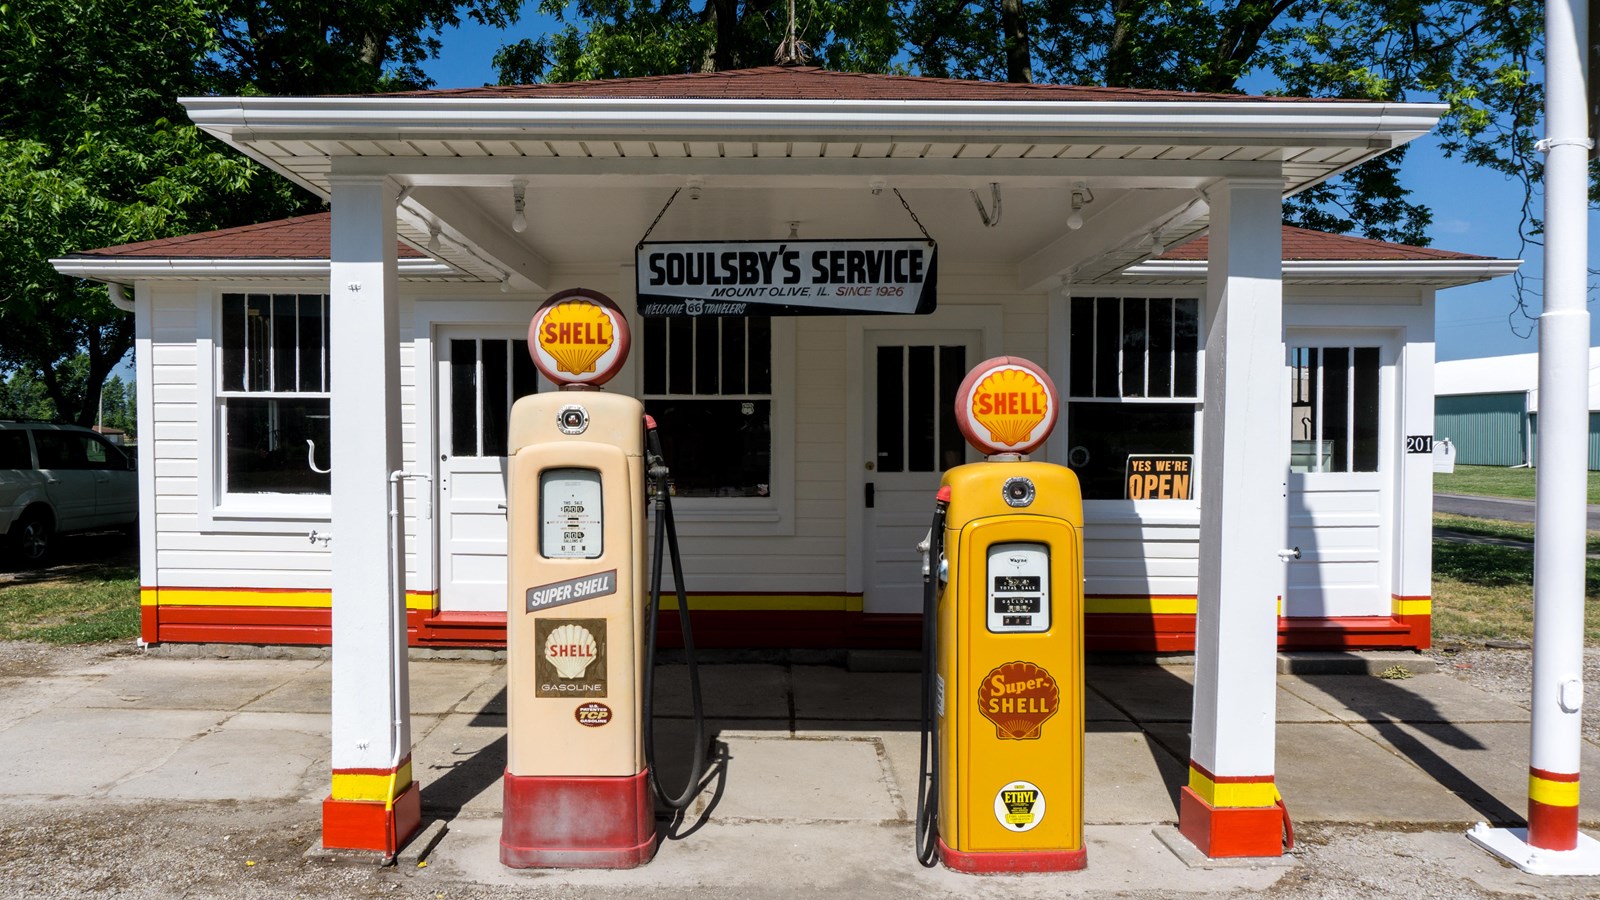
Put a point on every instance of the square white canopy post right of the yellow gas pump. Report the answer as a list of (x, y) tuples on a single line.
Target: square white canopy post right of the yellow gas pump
[(1231, 805)]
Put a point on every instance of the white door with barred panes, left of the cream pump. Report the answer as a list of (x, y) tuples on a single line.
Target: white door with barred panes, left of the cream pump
[(482, 371)]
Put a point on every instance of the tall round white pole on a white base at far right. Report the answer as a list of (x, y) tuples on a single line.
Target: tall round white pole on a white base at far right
[(1553, 845)]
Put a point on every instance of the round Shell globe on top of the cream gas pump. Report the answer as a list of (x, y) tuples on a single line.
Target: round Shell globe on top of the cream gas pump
[(578, 337)]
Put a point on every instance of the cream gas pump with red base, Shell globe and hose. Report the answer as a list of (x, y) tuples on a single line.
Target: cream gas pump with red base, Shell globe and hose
[(580, 633)]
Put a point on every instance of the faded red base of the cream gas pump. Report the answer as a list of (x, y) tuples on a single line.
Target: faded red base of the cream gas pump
[(578, 822)]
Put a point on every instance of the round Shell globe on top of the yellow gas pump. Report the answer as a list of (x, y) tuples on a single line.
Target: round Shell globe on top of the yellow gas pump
[(1007, 406)]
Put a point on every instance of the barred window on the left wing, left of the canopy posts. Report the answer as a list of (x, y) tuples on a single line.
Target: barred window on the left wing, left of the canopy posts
[(274, 393)]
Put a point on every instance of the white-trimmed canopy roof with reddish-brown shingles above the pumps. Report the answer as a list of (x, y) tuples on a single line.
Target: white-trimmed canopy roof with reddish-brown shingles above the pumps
[(798, 145)]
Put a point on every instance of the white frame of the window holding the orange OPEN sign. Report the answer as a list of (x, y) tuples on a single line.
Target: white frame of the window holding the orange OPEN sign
[(1148, 512)]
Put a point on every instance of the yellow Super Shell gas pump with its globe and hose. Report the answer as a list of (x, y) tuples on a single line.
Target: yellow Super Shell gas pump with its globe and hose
[(1002, 785)]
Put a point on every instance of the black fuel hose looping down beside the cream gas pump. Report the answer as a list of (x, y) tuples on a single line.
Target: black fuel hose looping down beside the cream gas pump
[(668, 529)]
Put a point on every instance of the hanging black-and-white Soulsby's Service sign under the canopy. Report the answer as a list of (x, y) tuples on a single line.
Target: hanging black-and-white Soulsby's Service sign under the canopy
[(788, 278)]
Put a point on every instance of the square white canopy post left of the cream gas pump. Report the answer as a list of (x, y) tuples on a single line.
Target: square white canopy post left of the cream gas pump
[(374, 803)]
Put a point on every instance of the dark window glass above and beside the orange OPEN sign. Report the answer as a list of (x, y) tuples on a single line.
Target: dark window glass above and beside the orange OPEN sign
[(1132, 385)]
